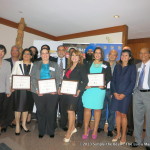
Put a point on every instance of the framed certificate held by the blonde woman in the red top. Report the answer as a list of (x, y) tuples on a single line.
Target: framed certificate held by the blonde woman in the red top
[(69, 87)]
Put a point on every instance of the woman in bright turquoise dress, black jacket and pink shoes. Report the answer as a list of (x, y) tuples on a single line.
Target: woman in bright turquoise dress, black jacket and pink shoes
[(93, 98)]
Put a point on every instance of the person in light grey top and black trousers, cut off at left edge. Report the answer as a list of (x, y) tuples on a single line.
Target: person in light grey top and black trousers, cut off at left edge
[(5, 72)]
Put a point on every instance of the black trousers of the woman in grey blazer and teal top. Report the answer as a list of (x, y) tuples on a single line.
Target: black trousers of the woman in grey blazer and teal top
[(46, 112)]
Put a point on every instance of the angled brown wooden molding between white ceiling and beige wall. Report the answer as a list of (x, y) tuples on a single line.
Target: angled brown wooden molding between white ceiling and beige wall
[(122, 28)]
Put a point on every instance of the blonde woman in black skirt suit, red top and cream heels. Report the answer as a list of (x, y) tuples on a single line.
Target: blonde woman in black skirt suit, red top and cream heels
[(76, 72)]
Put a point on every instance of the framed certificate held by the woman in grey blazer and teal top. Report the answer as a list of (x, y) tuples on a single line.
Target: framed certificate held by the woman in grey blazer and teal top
[(47, 86)]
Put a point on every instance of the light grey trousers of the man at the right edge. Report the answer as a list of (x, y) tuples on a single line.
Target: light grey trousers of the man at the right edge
[(141, 107)]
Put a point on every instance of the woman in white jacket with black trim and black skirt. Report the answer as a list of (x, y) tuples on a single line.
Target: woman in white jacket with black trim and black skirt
[(22, 97)]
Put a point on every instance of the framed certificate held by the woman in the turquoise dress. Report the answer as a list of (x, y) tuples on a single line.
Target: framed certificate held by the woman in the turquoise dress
[(96, 80)]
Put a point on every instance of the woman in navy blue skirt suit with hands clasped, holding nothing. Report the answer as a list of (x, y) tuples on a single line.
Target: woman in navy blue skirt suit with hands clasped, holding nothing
[(123, 82)]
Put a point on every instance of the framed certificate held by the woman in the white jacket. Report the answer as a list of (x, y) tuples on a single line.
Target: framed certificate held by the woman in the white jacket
[(21, 82)]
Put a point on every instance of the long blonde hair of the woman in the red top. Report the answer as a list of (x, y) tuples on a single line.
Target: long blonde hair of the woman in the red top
[(77, 53)]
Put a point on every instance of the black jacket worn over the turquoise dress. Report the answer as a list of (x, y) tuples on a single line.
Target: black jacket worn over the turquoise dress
[(106, 71)]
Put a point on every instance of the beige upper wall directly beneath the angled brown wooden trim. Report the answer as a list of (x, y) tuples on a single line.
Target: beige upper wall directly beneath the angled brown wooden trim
[(8, 36)]
